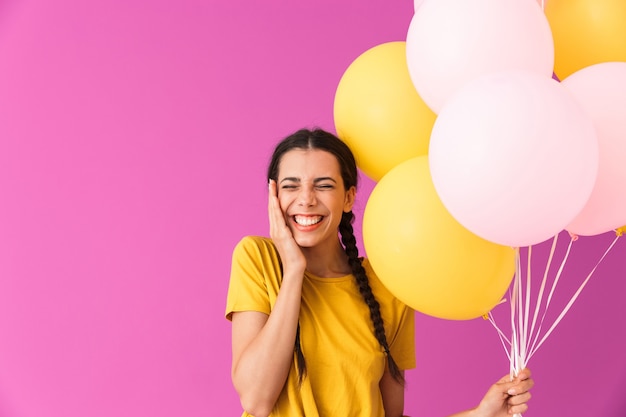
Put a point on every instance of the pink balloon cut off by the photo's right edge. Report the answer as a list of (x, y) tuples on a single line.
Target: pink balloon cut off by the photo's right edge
[(601, 90)]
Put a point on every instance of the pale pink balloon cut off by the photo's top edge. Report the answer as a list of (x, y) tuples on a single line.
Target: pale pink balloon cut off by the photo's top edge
[(451, 42)]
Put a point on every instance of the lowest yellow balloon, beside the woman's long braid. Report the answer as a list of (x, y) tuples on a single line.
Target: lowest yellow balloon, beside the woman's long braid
[(424, 256)]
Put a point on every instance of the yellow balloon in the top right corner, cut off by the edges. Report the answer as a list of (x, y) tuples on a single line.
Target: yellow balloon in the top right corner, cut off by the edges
[(586, 32)]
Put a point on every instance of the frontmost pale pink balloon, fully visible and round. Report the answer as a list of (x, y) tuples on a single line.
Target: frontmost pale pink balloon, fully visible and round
[(513, 157)]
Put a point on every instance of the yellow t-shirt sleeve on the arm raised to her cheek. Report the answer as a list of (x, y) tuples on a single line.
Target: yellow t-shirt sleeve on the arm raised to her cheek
[(253, 260)]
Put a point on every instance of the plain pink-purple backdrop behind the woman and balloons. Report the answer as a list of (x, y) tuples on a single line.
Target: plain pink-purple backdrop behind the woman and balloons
[(134, 136)]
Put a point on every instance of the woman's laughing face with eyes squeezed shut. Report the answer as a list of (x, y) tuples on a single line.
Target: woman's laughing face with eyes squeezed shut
[(312, 195)]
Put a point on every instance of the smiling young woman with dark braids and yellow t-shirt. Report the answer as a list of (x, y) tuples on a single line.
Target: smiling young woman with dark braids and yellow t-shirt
[(314, 332)]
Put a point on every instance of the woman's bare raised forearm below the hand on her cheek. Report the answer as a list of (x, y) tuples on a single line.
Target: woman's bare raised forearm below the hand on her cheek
[(263, 365)]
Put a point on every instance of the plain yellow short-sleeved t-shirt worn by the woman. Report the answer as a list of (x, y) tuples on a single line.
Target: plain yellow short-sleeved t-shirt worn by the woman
[(344, 360)]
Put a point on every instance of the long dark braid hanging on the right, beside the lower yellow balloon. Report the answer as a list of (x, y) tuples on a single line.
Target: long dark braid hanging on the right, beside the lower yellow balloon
[(349, 242)]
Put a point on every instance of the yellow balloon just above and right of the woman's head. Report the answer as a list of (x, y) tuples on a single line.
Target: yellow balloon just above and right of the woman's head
[(378, 112)]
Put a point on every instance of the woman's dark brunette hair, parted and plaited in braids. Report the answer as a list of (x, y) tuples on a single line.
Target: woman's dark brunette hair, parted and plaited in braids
[(323, 140)]
